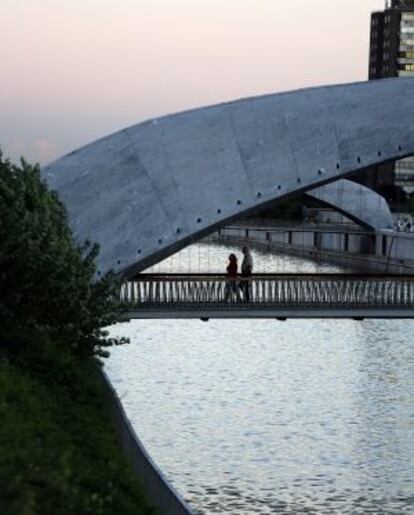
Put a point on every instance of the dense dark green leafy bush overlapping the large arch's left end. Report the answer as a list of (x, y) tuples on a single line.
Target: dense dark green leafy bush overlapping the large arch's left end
[(46, 281)]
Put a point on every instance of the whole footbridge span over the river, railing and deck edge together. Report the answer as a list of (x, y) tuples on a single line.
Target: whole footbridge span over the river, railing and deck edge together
[(278, 296)]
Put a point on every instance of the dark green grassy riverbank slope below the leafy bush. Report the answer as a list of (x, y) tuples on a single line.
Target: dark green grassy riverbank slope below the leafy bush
[(59, 452)]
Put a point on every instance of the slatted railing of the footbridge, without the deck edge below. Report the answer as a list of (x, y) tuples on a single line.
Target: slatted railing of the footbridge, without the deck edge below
[(267, 291)]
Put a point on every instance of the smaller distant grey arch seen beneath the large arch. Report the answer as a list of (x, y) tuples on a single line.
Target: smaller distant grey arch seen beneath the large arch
[(359, 203)]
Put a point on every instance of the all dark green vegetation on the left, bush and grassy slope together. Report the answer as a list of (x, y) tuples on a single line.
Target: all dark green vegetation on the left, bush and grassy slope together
[(58, 450)]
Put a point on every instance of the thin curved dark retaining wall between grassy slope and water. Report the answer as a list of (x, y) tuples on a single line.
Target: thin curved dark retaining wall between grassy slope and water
[(160, 492)]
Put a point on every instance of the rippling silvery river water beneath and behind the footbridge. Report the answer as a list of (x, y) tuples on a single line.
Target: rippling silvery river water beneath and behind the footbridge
[(261, 417)]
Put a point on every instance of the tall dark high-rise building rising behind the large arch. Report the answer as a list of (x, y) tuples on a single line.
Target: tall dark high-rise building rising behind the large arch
[(392, 55)]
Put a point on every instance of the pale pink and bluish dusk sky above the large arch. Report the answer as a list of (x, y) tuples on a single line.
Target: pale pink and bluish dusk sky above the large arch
[(76, 70)]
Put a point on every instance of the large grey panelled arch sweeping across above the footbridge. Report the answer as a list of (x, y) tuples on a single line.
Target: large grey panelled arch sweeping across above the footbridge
[(149, 190)]
